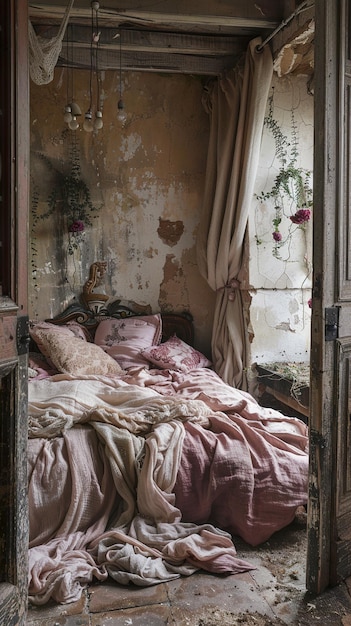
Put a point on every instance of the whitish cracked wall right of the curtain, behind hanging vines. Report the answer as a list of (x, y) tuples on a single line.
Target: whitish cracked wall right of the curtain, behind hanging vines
[(280, 314)]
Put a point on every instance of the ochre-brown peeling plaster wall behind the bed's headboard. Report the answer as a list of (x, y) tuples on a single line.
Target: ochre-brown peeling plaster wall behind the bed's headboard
[(147, 176)]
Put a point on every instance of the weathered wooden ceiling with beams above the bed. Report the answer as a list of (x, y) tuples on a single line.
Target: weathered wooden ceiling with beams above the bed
[(187, 36)]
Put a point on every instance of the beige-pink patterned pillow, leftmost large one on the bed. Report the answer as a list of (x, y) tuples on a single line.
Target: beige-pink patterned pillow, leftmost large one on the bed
[(71, 355)]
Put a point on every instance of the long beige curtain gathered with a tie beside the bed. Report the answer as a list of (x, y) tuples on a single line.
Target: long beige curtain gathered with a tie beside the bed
[(236, 104)]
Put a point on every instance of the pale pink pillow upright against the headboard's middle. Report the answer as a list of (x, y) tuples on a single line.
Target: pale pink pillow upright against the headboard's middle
[(124, 339)]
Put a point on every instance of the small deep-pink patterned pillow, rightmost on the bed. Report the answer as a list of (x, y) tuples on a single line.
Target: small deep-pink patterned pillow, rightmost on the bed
[(175, 354)]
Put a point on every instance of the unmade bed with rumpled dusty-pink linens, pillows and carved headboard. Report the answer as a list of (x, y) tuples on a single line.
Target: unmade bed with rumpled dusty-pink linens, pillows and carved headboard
[(143, 464)]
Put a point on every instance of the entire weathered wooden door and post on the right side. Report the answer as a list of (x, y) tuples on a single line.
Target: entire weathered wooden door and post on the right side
[(329, 517)]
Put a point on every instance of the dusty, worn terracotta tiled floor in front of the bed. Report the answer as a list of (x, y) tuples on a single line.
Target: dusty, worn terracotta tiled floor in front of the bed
[(274, 593)]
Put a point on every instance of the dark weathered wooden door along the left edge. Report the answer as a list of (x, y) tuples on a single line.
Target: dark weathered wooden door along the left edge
[(14, 168)]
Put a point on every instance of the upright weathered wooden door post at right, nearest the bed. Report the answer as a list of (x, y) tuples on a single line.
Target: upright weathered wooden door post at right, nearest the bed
[(322, 554)]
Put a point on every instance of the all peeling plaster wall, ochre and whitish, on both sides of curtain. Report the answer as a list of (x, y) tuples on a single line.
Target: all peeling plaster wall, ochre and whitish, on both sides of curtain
[(149, 177)]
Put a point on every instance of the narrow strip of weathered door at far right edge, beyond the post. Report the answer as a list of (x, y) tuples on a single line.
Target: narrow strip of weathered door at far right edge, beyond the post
[(341, 537)]
